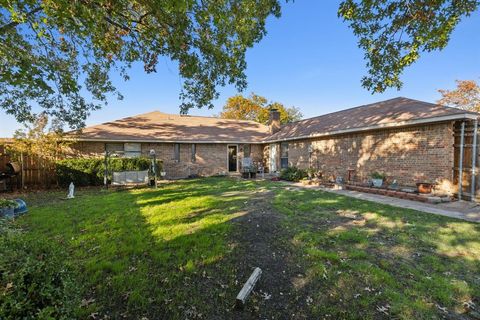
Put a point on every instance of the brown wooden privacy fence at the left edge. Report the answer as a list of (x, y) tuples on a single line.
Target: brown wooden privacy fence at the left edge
[(35, 173)]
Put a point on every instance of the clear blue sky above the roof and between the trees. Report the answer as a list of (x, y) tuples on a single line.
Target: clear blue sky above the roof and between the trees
[(308, 59)]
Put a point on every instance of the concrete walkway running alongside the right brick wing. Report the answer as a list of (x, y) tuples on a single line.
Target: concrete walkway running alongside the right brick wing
[(464, 210)]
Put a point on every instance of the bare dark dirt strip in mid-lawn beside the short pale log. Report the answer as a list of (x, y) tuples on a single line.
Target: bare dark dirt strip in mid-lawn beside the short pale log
[(262, 241)]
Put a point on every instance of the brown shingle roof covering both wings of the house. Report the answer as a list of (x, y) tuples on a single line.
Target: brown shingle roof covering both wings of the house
[(161, 127)]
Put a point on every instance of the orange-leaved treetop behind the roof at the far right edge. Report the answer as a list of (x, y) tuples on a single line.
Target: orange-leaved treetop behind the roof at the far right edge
[(466, 96)]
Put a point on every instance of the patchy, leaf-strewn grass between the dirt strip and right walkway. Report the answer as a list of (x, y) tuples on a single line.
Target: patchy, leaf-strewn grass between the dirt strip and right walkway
[(364, 260)]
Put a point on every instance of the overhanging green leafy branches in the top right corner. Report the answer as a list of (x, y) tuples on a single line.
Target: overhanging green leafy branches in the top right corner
[(393, 33)]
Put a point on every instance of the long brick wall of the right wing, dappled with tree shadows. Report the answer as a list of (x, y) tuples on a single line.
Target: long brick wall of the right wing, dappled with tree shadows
[(409, 155)]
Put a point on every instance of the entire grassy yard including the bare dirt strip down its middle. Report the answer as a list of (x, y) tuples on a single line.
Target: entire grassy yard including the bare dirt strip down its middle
[(185, 250)]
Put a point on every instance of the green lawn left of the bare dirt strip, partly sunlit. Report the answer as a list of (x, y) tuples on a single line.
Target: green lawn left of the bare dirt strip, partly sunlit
[(155, 253)]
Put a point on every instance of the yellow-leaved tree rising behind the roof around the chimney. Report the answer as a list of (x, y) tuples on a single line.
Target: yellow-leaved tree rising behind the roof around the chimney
[(257, 108)]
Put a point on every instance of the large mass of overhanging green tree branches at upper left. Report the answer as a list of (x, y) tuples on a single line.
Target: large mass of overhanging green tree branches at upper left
[(58, 55)]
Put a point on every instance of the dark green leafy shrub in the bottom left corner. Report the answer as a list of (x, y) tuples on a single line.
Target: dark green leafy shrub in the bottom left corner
[(35, 280)]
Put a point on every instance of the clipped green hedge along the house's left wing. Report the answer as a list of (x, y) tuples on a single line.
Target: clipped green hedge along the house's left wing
[(90, 171)]
